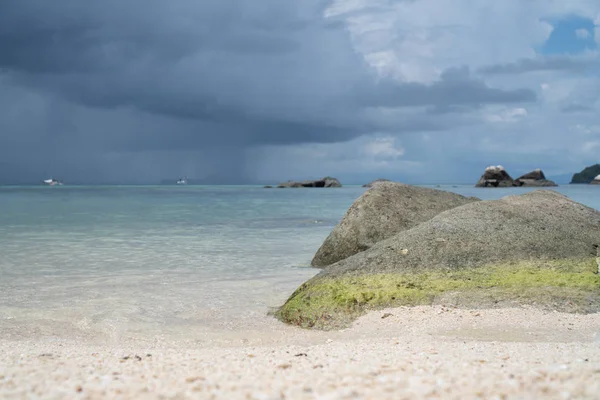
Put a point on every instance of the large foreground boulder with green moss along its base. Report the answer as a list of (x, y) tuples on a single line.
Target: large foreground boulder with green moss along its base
[(538, 248)]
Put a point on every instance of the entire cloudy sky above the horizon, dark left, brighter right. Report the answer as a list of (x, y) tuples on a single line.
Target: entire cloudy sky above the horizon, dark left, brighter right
[(422, 91)]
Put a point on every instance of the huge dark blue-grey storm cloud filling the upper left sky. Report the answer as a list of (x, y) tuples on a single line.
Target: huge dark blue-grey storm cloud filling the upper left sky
[(95, 77)]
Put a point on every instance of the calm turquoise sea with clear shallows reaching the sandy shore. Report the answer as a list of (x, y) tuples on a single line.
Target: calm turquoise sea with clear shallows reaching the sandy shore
[(164, 262)]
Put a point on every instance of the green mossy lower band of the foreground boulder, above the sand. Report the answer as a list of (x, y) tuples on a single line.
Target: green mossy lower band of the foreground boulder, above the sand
[(333, 302)]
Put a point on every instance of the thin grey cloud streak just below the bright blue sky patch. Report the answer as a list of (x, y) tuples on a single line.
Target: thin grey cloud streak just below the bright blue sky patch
[(567, 63)]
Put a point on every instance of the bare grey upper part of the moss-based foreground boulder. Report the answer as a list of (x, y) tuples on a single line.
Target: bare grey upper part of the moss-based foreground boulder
[(539, 225)]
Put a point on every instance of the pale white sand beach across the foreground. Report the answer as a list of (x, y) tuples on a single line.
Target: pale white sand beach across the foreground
[(422, 352)]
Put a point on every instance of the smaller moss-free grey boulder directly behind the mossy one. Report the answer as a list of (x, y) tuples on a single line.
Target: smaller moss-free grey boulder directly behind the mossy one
[(381, 212)]
